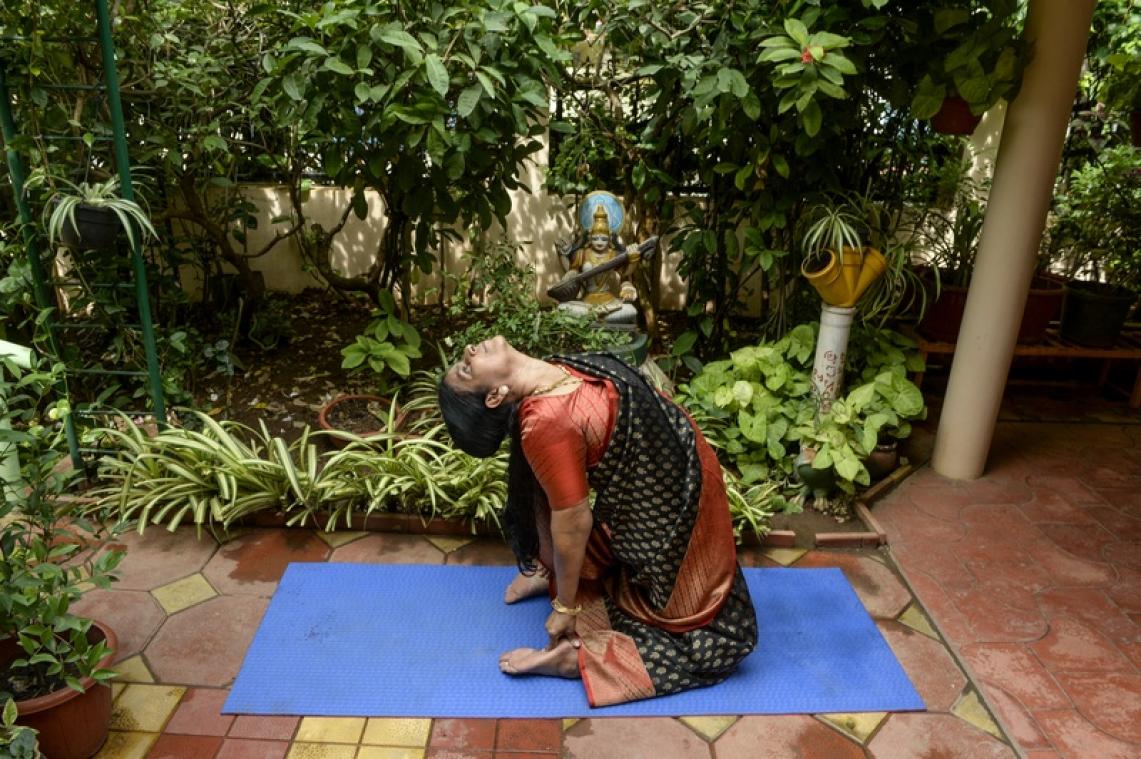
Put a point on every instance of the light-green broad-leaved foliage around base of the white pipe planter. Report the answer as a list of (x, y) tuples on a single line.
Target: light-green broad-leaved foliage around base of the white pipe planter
[(759, 410)]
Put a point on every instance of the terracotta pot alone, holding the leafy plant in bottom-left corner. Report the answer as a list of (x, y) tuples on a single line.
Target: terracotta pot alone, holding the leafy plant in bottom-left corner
[(72, 725)]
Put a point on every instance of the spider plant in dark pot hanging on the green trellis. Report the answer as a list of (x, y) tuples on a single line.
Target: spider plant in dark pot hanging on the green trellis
[(90, 216)]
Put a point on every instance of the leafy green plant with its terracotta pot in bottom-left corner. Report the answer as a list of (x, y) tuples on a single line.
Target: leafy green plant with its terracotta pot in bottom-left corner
[(54, 665)]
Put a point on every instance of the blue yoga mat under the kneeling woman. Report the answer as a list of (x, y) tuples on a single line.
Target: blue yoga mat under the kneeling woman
[(418, 641)]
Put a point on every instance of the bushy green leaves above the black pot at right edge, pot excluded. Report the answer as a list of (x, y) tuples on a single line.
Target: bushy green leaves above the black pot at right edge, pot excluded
[(1096, 231)]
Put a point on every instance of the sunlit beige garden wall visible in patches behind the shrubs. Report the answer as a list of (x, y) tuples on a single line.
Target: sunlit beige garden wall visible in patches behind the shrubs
[(538, 221)]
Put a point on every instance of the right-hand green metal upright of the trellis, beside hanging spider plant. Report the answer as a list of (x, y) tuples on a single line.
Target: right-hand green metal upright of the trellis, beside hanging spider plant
[(123, 162)]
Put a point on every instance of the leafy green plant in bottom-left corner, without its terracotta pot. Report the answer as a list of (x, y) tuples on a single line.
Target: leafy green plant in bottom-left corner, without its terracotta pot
[(43, 568)]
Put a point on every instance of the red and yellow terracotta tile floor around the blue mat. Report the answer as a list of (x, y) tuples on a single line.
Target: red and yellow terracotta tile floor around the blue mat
[(1019, 597)]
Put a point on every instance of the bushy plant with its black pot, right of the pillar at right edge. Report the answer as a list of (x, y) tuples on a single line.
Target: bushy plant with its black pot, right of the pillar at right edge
[(1097, 227)]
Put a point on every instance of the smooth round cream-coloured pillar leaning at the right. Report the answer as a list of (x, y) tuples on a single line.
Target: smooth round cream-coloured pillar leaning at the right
[(1029, 159)]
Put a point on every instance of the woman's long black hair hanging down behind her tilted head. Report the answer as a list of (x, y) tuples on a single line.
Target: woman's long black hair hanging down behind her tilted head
[(479, 431)]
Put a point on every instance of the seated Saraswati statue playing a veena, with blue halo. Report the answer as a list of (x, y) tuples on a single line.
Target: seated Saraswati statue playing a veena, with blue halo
[(597, 281)]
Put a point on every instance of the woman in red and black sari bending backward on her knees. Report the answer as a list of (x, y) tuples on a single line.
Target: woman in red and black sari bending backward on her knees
[(646, 592)]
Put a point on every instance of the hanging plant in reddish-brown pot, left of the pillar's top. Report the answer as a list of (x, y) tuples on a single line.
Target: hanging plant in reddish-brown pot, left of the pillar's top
[(972, 56)]
